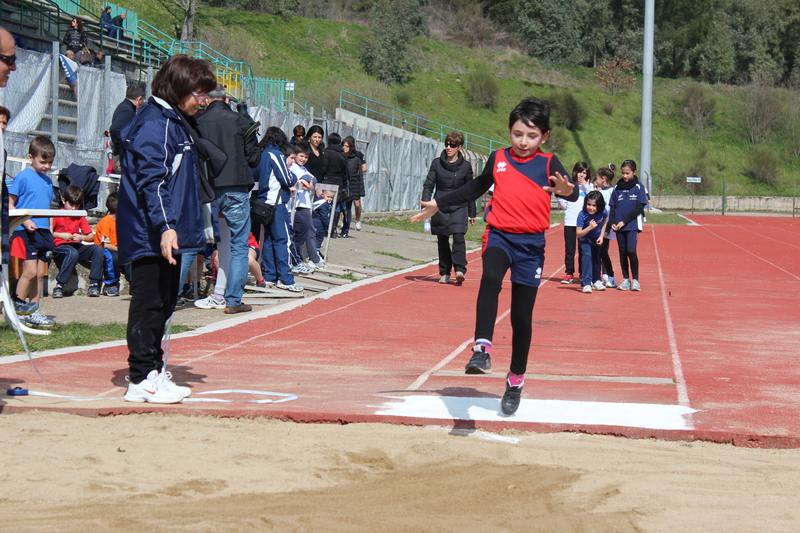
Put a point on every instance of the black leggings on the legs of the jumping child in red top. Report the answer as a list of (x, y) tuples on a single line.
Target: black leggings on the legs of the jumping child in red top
[(523, 297)]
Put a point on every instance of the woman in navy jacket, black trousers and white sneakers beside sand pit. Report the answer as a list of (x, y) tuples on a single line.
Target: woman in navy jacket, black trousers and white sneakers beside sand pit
[(159, 216)]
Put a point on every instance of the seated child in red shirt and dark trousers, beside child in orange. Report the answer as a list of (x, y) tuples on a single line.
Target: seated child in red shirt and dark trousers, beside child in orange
[(69, 234)]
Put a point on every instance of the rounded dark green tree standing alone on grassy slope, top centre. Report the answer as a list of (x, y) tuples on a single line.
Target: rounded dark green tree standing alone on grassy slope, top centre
[(394, 22)]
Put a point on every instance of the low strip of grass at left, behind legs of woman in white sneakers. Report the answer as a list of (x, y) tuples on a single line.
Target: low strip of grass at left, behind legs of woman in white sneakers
[(66, 335)]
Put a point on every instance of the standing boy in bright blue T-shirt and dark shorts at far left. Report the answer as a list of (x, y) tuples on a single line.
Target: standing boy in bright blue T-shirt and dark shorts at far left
[(32, 241)]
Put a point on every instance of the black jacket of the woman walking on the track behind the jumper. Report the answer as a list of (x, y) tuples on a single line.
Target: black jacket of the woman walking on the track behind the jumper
[(445, 177)]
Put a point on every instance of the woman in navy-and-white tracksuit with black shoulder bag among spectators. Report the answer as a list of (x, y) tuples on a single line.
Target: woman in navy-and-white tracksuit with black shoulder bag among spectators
[(274, 183)]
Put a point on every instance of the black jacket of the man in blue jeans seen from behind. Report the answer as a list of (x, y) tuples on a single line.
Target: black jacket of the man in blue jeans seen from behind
[(226, 128)]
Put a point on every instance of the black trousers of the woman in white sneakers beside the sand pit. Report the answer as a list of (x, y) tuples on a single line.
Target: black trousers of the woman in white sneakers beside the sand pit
[(154, 291)]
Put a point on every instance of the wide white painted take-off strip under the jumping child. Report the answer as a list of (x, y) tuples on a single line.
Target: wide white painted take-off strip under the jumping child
[(650, 416)]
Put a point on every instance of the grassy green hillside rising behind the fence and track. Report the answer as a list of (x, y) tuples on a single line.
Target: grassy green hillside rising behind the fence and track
[(323, 58)]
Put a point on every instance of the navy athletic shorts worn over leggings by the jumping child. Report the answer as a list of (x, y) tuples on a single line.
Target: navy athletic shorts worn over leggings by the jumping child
[(525, 251)]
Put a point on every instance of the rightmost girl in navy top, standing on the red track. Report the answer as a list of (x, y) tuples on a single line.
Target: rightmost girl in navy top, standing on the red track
[(626, 208)]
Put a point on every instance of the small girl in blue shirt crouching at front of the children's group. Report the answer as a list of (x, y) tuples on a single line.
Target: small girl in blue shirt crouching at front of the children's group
[(592, 220)]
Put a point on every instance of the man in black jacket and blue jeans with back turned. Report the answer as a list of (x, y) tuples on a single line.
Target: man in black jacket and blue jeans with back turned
[(233, 134)]
